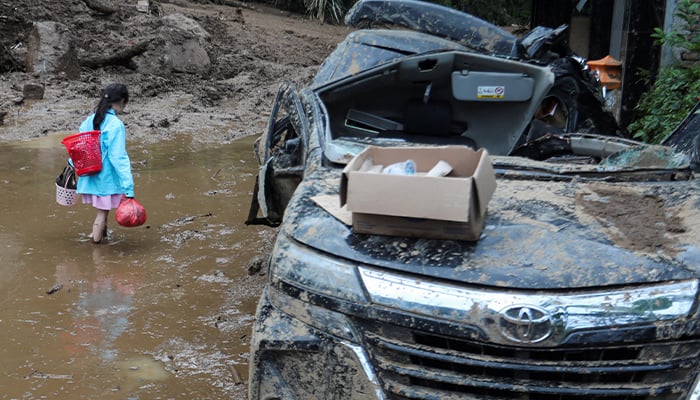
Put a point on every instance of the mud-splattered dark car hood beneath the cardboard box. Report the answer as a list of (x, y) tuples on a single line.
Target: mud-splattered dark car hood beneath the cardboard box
[(538, 235)]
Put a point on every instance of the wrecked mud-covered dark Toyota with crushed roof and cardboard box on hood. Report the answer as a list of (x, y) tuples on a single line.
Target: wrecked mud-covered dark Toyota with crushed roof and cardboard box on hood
[(584, 283)]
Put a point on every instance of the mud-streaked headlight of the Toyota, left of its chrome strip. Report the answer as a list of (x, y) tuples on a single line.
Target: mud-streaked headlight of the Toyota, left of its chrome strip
[(307, 269)]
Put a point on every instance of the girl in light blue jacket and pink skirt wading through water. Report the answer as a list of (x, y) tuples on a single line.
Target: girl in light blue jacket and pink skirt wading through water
[(105, 189)]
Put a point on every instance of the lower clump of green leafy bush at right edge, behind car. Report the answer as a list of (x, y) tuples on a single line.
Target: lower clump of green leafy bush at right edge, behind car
[(672, 96)]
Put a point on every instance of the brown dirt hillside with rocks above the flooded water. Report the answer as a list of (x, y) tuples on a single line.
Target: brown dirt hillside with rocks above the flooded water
[(222, 92)]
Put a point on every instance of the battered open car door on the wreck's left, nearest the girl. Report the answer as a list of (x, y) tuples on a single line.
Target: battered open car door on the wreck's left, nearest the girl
[(281, 154)]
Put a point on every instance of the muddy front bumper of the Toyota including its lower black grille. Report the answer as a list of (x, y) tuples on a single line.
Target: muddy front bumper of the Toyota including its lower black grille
[(372, 357)]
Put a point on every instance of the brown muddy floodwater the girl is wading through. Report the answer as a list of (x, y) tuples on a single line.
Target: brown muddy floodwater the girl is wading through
[(162, 311)]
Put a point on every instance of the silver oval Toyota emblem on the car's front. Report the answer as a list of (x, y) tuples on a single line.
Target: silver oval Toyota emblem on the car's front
[(525, 324)]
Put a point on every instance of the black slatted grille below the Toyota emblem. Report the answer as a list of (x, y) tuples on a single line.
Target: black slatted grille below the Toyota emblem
[(419, 365)]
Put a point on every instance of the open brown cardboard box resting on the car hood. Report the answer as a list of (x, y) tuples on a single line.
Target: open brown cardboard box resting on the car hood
[(451, 207)]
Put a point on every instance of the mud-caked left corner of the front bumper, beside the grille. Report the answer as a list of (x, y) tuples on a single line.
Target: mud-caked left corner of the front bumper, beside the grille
[(291, 360)]
